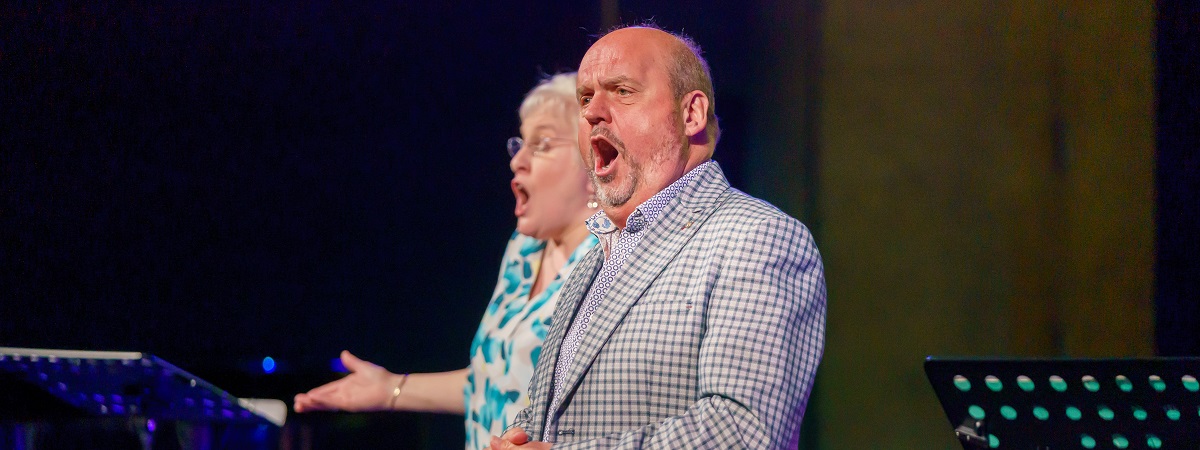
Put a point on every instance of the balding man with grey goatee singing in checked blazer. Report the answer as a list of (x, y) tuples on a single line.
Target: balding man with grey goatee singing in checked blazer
[(699, 322)]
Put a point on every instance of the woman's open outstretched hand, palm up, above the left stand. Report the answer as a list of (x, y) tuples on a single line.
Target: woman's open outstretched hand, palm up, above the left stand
[(368, 388)]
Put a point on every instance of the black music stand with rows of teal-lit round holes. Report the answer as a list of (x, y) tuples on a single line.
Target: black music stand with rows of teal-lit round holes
[(1070, 404)]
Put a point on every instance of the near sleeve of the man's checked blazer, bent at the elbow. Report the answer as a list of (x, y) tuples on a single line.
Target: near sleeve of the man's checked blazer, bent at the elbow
[(764, 340)]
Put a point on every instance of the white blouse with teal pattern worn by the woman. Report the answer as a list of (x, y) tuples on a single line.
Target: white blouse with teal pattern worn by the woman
[(509, 340)]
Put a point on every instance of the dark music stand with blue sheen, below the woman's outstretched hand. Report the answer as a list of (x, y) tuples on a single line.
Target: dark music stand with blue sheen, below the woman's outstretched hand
[(128, 385)]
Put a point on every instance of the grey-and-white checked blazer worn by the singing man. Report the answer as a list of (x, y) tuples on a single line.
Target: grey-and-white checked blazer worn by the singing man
[(710, 337)]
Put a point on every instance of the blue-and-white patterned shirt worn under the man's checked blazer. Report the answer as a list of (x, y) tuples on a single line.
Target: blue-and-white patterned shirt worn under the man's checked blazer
[(619, 244)]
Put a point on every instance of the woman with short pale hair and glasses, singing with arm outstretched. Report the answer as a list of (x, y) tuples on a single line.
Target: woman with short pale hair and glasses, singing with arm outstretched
[(554, 197)]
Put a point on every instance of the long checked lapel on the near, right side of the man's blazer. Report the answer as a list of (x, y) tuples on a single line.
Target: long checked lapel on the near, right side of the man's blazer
[(675, 227)]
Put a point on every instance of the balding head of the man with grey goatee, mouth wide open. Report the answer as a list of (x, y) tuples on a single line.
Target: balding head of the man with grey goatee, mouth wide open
[(646, 118)]
